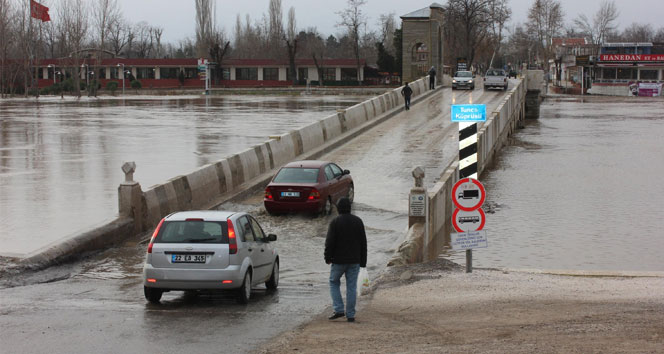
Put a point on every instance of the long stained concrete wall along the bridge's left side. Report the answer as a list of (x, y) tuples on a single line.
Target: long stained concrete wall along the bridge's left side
[(201, 188)]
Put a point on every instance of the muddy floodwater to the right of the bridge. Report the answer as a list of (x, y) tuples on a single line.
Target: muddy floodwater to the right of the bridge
[(580, 188)]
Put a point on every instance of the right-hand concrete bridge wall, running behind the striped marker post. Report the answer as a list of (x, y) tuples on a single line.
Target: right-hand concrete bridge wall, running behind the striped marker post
[(492, 135)]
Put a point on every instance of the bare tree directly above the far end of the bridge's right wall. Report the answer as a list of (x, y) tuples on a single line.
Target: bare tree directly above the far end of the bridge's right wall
[(545, 21)]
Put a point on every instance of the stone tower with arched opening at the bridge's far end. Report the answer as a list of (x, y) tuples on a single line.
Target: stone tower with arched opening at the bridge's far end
[(422, 32)]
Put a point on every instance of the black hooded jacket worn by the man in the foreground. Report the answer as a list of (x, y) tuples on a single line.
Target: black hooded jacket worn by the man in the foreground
[(346, 241)]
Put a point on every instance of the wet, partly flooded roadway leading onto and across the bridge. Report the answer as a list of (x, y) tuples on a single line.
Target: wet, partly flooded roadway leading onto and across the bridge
[(97, 305)]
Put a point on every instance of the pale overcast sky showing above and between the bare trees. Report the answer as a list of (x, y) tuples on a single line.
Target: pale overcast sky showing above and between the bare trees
[(177, 17)]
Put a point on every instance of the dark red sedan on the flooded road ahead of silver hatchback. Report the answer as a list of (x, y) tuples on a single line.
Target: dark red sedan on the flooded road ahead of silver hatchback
[(308, 186)]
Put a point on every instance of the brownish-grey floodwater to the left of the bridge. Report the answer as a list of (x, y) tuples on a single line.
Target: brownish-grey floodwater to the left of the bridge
[(60, 160)]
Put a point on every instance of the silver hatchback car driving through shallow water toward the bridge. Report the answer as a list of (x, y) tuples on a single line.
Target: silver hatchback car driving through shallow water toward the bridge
[(209, 250)]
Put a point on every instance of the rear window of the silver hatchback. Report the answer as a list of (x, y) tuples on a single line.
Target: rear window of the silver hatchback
[(193, 232)]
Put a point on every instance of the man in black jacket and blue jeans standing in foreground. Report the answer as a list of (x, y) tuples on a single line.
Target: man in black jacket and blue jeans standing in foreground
[(346, 250)]
